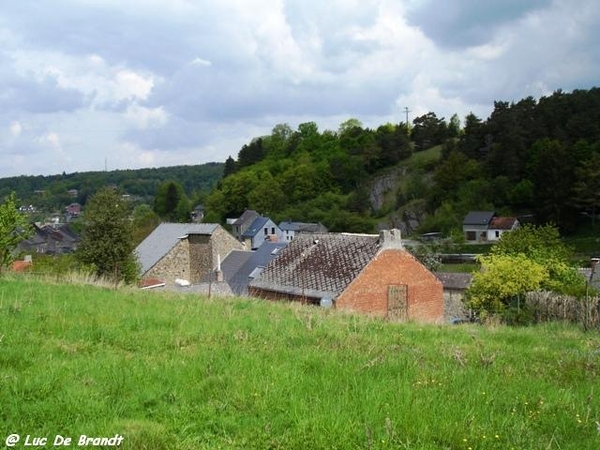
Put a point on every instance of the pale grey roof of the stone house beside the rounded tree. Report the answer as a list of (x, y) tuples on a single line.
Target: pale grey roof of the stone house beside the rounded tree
[(164, 238)]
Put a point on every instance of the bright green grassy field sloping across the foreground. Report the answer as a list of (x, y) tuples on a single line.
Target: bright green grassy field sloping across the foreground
[(183, 372)]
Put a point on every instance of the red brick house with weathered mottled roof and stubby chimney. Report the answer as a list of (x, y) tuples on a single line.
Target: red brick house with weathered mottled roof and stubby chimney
[(364, 273)]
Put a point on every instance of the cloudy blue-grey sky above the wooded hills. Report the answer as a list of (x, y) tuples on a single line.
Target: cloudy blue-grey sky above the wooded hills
[(89, 84)]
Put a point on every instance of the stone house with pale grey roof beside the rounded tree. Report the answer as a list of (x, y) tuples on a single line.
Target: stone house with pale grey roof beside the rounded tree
[(183, 251)]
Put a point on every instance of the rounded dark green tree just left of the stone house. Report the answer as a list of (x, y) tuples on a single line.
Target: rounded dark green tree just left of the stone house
[(107, 242)]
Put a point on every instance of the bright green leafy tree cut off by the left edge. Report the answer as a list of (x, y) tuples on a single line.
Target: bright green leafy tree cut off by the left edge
[(14, 228)]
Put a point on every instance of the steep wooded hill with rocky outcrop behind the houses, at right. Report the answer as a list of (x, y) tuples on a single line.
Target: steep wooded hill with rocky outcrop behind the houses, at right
[(535, 157)]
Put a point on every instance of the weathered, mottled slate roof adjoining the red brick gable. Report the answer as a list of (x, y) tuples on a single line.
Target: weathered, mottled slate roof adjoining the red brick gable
[(318, 265)]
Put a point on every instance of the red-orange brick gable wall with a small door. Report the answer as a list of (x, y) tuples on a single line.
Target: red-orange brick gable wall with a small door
[(369, 291)]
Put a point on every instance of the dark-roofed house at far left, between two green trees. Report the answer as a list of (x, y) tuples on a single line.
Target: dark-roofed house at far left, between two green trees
[(51, 239)]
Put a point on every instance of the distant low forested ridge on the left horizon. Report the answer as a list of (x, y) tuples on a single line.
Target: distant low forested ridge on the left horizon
[(52, 192)]
